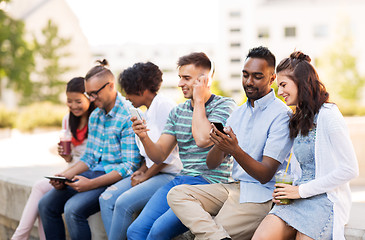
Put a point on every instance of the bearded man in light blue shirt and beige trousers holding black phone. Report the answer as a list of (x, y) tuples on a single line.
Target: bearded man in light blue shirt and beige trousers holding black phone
[(257, 136)]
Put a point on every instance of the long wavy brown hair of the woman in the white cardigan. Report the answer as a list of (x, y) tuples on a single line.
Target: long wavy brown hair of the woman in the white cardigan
[(311, 91)]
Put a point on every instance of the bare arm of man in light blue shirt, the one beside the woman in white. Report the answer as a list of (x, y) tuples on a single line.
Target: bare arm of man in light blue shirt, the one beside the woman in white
[(261, 171)]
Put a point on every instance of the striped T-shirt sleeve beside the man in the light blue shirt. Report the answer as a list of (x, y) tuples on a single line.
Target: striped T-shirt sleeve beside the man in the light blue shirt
[(222, 110)]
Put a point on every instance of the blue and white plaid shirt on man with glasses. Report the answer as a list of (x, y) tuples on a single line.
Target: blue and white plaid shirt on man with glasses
[(111, 140)]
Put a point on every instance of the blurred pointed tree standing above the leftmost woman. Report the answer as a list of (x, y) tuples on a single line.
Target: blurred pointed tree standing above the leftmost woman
[(49, 83)]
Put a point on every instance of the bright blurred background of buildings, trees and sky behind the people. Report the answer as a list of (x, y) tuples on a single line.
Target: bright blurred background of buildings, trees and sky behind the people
[(44, 43)]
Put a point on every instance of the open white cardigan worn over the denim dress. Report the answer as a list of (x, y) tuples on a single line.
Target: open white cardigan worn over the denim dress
[(336, 165)]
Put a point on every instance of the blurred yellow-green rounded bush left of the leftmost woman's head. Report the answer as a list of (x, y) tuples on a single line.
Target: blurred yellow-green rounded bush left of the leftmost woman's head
[(38, 115)]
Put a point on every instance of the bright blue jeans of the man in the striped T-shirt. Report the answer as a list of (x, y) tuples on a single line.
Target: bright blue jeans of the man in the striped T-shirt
[(157, 220)]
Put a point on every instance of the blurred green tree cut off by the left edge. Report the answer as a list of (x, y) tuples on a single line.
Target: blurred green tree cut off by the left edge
[(16, 55)]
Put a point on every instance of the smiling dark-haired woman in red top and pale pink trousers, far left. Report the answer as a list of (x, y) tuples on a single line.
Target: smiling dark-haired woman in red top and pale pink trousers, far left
[(75, 122)]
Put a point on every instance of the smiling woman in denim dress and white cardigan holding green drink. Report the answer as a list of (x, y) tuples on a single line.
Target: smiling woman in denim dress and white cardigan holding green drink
[(321, 197)]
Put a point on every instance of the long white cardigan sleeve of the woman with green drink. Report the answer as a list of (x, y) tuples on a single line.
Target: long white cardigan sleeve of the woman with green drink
[(335, 152)]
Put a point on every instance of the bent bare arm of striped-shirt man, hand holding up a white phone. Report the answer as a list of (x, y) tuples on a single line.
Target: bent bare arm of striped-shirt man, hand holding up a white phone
[(158, 151)]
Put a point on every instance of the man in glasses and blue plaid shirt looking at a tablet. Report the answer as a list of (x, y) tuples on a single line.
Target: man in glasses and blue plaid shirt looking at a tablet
[(111, 154)]
